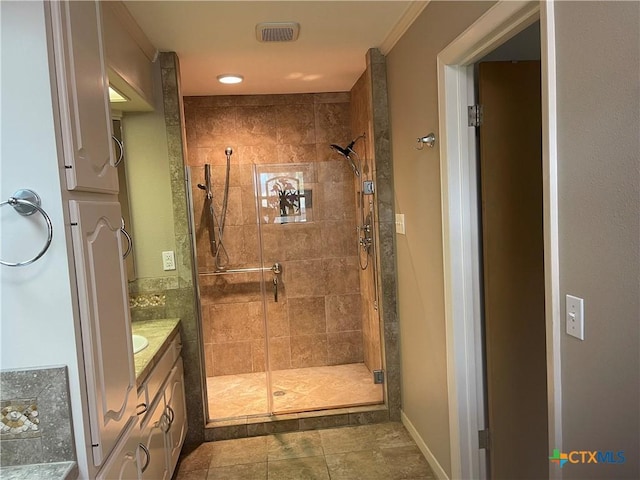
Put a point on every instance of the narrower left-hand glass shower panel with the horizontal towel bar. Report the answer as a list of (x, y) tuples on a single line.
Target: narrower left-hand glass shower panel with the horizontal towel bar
[(231, 299)]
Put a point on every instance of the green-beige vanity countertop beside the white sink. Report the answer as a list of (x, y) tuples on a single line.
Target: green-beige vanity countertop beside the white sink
[(159, 333)]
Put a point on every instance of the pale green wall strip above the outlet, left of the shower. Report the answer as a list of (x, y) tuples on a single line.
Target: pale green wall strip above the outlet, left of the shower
[(149, 185)]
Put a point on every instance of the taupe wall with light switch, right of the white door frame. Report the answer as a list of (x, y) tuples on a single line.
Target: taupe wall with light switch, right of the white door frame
[(598, 46)]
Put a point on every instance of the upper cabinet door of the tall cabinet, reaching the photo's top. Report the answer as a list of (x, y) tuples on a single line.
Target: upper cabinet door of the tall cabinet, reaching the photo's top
[(82, 86)]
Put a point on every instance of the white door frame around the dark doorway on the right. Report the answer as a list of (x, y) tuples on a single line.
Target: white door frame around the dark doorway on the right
[(461, 225)]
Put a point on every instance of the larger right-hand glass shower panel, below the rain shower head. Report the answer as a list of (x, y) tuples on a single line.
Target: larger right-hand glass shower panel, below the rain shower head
[(314, 322)]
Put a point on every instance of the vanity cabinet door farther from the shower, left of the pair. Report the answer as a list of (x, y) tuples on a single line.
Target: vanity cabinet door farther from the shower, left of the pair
[(154, 440)]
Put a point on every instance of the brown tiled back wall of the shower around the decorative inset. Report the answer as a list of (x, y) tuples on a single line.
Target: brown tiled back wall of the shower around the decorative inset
[(318, 317)]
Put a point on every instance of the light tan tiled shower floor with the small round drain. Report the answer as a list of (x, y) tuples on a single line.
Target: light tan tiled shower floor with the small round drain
[(304, 389)]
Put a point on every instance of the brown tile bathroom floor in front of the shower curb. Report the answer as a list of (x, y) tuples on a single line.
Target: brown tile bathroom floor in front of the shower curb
[(383, 451)]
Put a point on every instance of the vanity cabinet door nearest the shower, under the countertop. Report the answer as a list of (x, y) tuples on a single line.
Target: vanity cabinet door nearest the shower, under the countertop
[(177, 412)]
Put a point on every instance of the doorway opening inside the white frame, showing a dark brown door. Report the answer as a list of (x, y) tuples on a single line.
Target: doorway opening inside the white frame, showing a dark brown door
[(510, 184)]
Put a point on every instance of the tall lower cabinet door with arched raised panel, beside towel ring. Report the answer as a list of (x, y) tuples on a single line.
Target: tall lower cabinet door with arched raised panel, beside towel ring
[(105, 321)]
